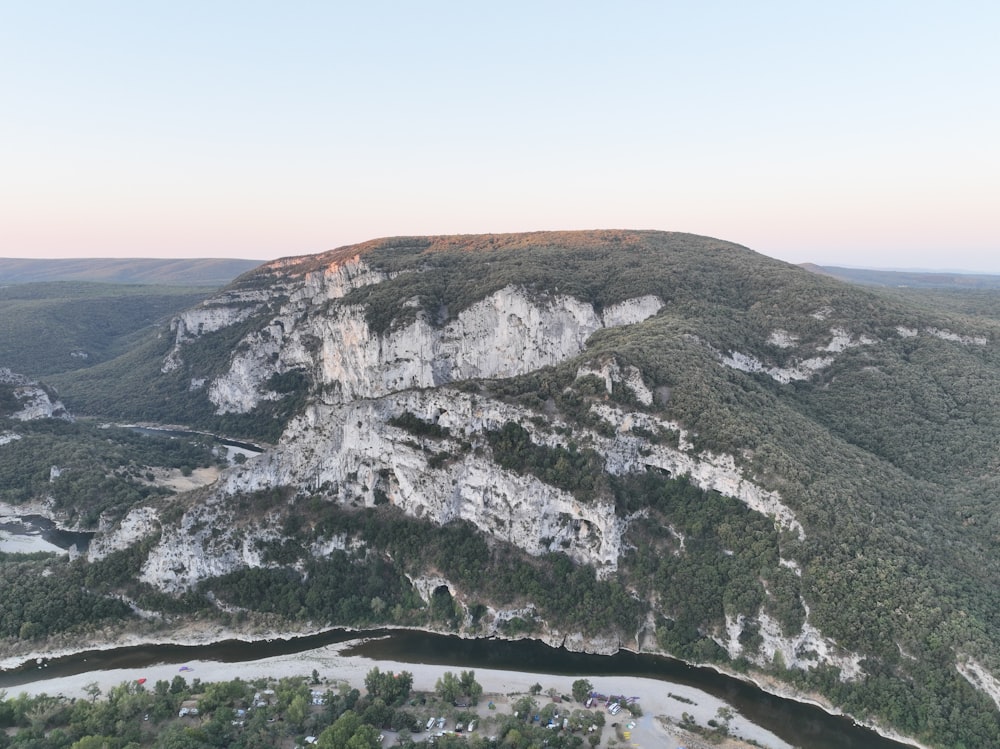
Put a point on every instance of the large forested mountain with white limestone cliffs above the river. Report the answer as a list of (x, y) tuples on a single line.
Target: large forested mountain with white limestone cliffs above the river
[(601, 439)]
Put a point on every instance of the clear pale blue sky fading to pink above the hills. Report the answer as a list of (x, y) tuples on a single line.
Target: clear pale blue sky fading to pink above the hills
[(851, 133)]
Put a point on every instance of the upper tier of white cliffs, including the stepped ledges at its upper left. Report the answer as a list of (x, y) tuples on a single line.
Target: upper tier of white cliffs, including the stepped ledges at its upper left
[(508, 333)]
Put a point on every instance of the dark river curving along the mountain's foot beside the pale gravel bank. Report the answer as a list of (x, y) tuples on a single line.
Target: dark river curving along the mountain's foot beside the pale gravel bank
[(799, 724)]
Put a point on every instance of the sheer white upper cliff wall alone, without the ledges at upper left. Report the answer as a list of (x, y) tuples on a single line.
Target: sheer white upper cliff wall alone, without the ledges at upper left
[(506, 334)]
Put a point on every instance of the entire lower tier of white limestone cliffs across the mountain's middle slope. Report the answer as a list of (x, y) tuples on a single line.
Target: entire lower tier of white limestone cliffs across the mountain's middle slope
[(353, 452)]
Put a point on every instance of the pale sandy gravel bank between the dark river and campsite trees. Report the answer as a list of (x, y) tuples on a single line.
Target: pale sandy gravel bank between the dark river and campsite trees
[(651, 730)]
